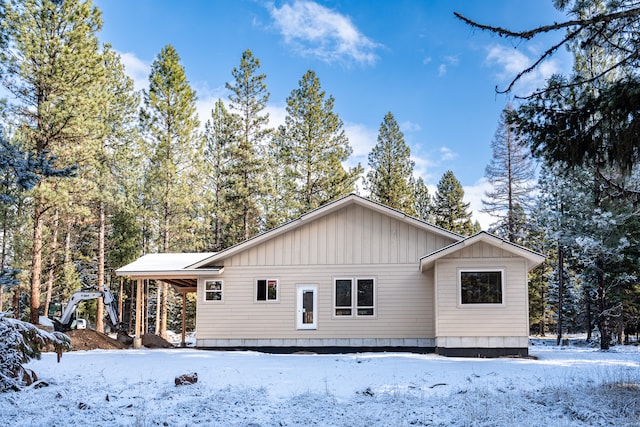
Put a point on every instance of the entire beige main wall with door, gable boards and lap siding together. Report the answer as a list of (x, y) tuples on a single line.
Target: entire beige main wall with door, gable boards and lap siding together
[(353, 242)]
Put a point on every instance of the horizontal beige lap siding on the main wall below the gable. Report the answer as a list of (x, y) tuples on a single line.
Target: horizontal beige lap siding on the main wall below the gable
[(403, 304)]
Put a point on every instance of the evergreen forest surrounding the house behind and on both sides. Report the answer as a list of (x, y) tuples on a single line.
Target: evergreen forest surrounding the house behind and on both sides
[(95, 174)]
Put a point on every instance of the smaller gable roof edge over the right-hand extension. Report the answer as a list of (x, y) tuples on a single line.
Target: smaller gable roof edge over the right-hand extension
[(533, 258)]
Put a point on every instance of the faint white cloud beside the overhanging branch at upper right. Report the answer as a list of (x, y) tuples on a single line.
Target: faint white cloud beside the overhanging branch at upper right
[(512, 61)]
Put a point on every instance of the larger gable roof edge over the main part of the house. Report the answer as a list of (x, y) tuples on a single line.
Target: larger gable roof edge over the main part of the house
[(318, 213)]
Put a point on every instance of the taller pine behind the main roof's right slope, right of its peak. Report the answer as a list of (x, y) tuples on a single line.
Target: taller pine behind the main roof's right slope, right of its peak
[(390, 180)]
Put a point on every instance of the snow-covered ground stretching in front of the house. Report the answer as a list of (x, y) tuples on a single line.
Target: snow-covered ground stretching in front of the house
[(567, 386)]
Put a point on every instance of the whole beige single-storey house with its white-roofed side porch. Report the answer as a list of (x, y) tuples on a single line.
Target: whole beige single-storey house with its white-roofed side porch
[(355, 275)]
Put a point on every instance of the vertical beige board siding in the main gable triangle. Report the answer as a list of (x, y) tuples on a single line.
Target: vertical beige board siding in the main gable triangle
[(351, 235)]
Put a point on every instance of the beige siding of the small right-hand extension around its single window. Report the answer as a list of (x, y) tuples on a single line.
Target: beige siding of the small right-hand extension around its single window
[(509, 319)]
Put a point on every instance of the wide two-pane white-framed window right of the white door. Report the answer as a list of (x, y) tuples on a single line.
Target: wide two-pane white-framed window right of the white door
[(354, 297)]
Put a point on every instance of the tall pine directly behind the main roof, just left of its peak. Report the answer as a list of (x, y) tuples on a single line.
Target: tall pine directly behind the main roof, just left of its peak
[(317, 146)]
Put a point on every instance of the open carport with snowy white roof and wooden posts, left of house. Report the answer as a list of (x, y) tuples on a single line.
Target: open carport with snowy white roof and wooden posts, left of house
[(174, 269)]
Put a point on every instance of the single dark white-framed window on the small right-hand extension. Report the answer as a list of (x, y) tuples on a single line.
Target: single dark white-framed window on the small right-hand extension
[(480, 286)]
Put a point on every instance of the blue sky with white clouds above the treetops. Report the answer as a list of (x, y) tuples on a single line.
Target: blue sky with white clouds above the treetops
[(410, 57)]
